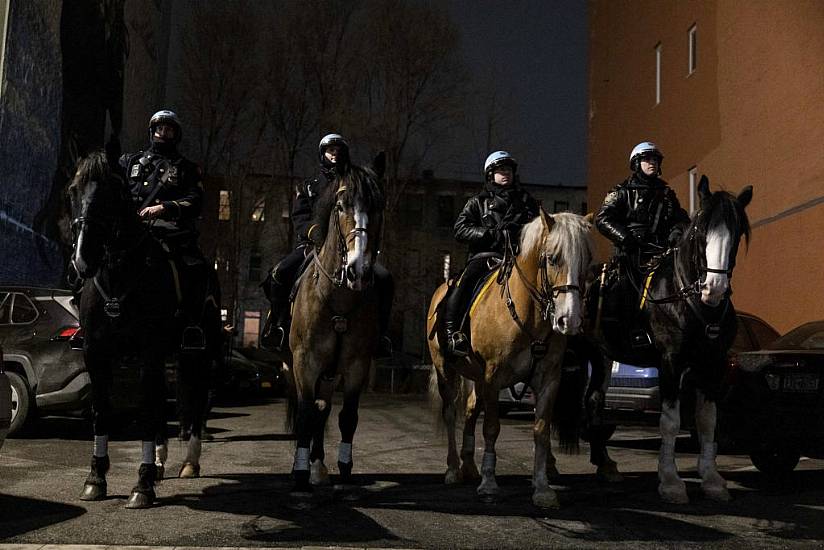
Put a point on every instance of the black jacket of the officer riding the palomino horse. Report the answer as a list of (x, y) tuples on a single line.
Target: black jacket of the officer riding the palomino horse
[(486, 216)]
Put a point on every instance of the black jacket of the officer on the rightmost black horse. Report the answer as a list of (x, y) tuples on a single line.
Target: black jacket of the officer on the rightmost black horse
[(643, 214)]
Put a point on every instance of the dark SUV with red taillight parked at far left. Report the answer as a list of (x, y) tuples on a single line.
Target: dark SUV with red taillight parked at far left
[(37, 327)]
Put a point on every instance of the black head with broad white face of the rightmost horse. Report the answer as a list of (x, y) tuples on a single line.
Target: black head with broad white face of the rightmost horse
[(716, 232)]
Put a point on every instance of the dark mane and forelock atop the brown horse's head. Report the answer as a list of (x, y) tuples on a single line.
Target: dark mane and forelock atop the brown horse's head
[(360, 185)]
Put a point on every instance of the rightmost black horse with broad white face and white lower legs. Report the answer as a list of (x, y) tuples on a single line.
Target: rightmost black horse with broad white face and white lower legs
[(686, 308)]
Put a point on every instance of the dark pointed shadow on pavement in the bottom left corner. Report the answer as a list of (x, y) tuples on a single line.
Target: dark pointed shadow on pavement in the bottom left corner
[(20, 515)]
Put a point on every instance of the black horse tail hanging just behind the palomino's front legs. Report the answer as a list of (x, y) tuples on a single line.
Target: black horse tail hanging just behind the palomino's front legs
[(568, 409)]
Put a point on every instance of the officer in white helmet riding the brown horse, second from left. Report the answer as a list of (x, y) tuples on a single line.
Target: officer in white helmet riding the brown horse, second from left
[(334, 159)]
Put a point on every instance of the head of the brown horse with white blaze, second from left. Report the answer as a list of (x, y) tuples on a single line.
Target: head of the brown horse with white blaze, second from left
[(356, 222)]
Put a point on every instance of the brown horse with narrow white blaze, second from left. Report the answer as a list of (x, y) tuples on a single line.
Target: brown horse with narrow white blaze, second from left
[(334, 325)]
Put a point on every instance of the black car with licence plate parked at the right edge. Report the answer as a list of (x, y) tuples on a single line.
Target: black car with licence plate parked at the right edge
[(774, 405)]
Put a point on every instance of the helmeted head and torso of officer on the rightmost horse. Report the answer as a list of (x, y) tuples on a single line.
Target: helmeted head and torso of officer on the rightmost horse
[(642, 215)]
